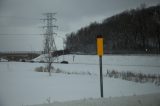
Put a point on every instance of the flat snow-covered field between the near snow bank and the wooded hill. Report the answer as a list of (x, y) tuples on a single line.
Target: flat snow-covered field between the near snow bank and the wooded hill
[(21, 85)]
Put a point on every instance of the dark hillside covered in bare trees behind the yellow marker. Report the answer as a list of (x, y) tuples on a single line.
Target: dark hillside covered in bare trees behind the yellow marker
[(132, 31)]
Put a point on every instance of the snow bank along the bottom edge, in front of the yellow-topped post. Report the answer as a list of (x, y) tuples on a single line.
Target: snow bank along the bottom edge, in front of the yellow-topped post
[(143, 100)]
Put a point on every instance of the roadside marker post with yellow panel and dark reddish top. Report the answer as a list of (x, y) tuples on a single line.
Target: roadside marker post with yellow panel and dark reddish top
[(100, 53)]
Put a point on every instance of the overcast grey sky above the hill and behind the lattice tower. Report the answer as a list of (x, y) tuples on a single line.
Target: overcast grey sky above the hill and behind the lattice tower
[(23, 17)]
